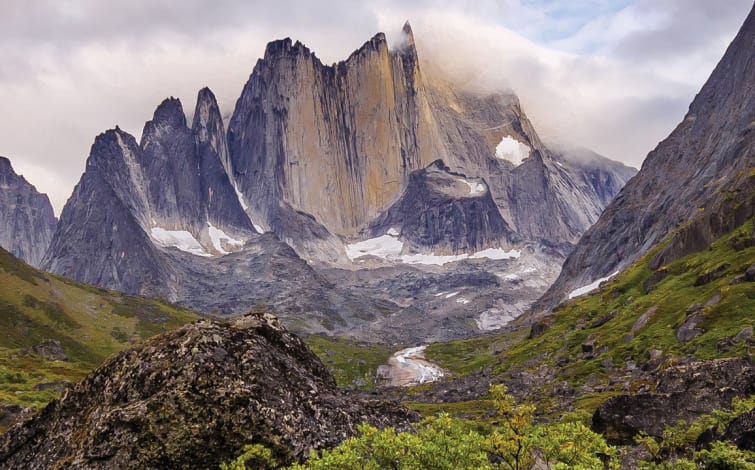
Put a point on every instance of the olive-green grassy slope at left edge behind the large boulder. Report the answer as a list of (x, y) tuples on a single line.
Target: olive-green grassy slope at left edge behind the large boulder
[(90, 324)]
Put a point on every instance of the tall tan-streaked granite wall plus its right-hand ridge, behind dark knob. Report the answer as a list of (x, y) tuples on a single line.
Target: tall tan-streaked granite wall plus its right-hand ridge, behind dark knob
[(340, 142)]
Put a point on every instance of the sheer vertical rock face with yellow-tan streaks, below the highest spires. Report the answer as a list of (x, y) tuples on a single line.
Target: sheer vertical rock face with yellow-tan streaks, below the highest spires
[(338, 141)]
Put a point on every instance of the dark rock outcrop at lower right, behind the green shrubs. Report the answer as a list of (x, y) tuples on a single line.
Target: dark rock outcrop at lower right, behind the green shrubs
[(682, 393)]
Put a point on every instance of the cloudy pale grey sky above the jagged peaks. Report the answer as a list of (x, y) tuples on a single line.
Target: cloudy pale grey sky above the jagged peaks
[(612, 75)]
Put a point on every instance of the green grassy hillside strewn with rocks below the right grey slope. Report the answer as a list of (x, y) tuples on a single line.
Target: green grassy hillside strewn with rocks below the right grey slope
[(594, 341)]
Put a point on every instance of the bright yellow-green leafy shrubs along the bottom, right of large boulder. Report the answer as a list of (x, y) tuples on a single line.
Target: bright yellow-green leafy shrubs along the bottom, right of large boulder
[(443, 442)]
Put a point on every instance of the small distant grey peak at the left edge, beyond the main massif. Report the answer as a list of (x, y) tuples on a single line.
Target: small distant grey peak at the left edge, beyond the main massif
[(26, 216)]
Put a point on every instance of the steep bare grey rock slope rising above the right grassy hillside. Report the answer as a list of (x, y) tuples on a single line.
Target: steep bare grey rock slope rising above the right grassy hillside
[(695, 186)]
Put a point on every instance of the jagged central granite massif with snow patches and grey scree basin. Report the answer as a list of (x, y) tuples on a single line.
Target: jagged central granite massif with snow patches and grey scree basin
[(367, 165)]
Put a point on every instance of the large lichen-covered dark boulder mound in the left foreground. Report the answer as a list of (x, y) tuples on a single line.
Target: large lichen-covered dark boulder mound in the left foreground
[(191, 399)]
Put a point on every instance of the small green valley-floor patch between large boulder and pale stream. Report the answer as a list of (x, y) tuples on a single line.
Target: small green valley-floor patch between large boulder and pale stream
[(353, 363)]
